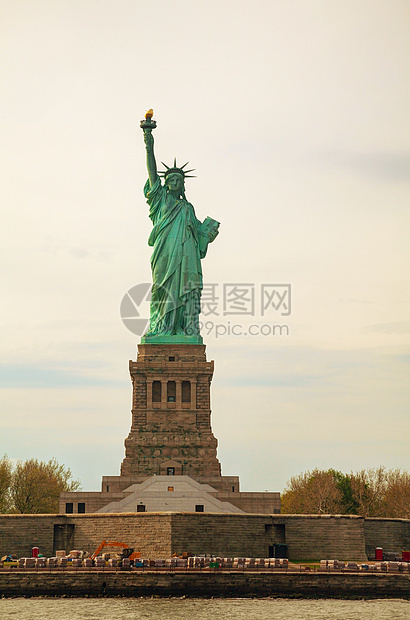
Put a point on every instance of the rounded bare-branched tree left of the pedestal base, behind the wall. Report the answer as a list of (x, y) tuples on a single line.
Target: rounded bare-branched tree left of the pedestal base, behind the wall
[(36, 486)]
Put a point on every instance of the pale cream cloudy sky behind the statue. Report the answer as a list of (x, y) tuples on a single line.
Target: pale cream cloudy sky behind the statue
[(295, 116)]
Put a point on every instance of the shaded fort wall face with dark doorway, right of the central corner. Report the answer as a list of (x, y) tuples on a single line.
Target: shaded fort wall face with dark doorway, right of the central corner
[(306, 537)]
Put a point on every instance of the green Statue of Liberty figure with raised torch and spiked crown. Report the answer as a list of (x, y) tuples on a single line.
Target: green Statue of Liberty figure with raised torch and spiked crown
[(180, 241)]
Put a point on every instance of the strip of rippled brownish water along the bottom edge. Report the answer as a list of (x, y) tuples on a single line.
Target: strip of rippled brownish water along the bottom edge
[(193, 609)]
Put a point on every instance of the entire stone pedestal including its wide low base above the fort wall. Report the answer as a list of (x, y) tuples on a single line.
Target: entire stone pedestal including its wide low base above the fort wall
[(170, 435)]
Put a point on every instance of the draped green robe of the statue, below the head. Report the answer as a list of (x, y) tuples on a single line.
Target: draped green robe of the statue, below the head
[(175, 263)]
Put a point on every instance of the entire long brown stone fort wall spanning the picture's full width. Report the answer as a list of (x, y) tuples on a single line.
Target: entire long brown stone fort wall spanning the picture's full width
[(159, 535)]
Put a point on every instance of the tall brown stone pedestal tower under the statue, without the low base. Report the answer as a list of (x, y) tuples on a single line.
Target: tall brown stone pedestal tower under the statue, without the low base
[(171, 416)]
